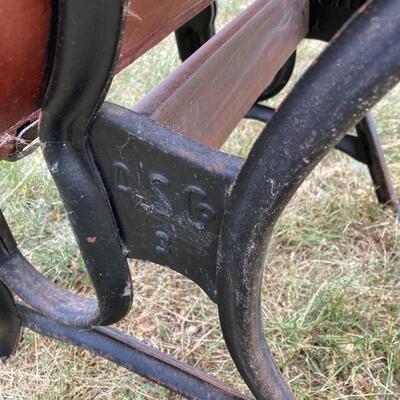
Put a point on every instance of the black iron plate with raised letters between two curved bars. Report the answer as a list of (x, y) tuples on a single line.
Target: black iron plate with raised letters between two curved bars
[(167, 192)]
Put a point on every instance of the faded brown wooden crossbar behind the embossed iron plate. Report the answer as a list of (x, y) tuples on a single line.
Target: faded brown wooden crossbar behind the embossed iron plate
[(207, 96)]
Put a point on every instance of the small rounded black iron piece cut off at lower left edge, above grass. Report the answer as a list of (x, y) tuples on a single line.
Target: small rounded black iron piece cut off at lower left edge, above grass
[(10, 327)]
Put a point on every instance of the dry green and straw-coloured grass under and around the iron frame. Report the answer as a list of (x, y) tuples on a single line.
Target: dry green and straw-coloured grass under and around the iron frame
[(331, 288)]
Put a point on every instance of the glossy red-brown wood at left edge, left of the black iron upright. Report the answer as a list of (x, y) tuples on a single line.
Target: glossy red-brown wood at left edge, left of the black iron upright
[(24, 37)]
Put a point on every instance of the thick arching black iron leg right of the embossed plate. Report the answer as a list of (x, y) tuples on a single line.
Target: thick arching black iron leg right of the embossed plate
[(358, 68)]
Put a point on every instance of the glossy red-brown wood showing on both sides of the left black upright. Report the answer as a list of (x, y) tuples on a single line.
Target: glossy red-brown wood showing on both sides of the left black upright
[(25, 34)]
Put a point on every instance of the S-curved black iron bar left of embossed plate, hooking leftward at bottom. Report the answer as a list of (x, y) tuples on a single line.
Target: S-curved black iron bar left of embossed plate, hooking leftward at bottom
[(88, 45)]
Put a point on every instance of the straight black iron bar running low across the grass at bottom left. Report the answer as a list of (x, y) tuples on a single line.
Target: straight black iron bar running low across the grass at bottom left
[(136, 356)]
